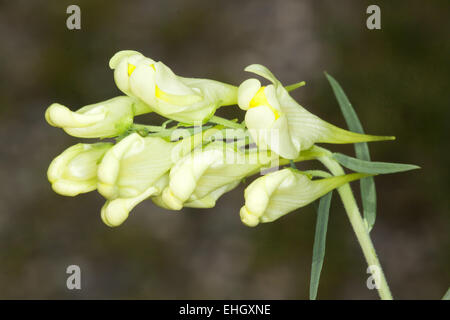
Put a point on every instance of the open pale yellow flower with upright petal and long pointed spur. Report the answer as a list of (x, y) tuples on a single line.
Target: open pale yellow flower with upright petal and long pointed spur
[(276, 121)]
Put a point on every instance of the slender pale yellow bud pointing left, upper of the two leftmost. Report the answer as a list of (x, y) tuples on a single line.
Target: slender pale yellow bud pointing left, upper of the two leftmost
[(105, 119)]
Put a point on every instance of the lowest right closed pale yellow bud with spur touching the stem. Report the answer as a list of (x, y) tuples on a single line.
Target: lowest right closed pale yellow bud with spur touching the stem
[(278, 193)]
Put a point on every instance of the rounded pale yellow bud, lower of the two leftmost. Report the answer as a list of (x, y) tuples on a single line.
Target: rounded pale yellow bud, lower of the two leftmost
[(75, 170)]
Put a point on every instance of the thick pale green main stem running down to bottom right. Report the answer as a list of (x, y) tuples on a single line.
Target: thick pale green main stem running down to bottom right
[(360, 229)]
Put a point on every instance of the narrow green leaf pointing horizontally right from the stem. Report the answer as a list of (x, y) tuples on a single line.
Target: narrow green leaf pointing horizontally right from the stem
[(372, 167)]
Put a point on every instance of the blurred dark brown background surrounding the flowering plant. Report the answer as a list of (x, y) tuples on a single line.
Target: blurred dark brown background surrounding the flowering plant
[(396, 77)]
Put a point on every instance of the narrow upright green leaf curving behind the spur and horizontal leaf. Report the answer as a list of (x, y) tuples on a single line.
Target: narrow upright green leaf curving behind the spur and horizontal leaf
[(367, 185)]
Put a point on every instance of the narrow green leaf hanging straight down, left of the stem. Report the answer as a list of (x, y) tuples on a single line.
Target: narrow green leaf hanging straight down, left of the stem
[(319, 244)]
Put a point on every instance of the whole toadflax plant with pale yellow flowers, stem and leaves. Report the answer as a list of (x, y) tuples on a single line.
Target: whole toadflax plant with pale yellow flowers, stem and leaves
[(195, 157)]
